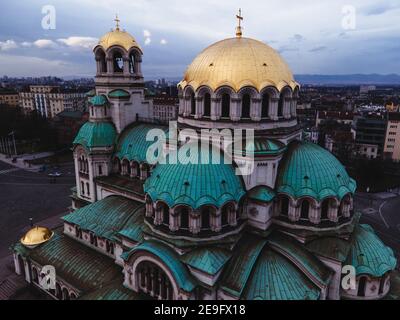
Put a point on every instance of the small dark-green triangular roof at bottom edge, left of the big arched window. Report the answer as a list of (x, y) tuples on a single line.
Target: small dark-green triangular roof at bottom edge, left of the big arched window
[(112, 291)]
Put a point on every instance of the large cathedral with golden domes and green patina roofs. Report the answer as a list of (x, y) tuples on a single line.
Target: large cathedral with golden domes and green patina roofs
[(166, 230)]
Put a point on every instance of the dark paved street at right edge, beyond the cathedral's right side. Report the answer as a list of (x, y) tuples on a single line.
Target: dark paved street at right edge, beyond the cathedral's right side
[(383, 213)]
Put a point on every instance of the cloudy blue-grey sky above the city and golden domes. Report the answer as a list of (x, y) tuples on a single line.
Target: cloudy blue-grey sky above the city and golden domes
[(315, 37)]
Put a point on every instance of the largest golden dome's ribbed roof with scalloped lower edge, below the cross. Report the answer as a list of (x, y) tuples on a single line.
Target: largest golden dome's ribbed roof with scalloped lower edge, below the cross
[(238, 62)]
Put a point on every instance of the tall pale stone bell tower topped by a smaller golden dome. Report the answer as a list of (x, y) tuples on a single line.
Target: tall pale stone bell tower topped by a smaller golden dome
[(119, 76)]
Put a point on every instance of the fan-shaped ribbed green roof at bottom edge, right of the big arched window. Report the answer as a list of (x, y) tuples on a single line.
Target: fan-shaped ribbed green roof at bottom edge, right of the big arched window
[(275, 278)]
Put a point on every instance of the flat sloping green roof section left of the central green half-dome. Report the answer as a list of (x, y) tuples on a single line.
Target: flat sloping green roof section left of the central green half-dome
[(105, 217)]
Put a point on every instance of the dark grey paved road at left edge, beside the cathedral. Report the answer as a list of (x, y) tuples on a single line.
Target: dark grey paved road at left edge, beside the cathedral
[(25, 194)]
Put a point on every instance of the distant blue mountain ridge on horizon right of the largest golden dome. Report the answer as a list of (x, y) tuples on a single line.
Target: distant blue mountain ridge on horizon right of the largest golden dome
[(349, 79)]
